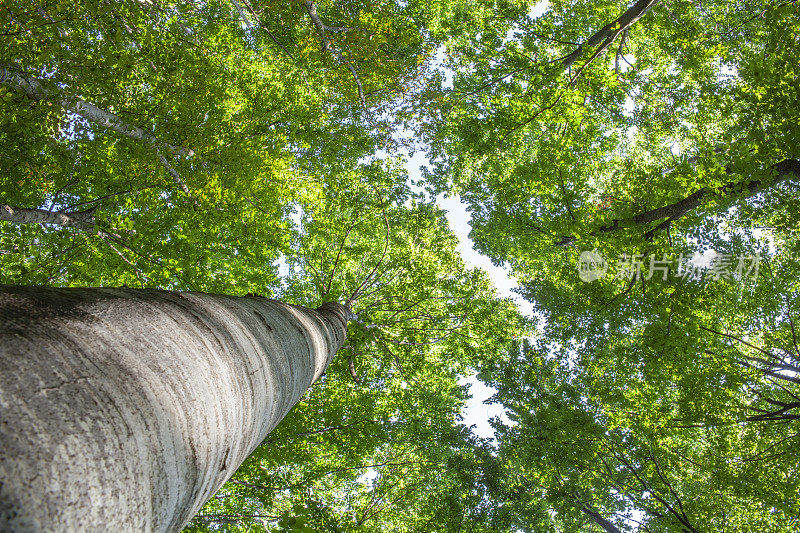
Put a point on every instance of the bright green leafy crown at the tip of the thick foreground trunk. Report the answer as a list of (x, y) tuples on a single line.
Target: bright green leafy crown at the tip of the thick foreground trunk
[(389, 408)]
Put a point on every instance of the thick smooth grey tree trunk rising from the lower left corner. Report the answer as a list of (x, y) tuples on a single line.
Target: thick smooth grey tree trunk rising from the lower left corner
[(125, 409)]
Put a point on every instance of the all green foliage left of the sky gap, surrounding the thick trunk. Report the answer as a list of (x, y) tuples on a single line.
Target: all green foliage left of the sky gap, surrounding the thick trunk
[(228, 141)]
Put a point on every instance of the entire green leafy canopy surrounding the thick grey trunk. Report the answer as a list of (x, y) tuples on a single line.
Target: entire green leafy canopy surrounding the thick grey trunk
[(633, 165)]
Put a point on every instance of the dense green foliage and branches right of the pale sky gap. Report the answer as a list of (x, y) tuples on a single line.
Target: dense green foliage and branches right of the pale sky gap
[(662, 396)]
